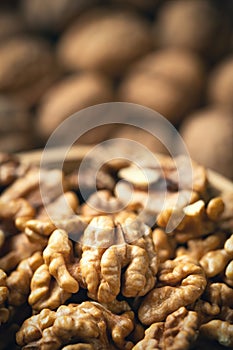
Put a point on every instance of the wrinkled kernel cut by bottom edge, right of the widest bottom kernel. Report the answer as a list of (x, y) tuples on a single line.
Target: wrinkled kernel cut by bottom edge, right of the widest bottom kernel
[(178, 331)]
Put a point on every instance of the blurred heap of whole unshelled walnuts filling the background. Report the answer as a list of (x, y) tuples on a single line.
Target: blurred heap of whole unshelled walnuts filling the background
[(173, 56)]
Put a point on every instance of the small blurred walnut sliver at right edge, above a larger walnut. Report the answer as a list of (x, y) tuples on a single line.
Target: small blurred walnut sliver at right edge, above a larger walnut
[(220, 86)]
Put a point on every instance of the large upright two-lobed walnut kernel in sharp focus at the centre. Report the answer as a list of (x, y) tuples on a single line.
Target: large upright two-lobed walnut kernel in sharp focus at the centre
[(102, 266)]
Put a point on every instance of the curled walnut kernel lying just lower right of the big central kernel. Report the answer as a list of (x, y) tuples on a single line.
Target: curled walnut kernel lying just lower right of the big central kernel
[(182, 282)]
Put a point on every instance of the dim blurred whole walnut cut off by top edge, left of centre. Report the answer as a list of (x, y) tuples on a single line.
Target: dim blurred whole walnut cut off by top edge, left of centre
[(52, 16)]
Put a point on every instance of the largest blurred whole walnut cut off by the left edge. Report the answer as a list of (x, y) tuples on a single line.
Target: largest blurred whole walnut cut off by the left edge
[(27, 68)]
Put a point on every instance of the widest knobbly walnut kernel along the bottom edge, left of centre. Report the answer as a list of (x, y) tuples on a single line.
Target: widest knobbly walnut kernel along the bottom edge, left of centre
[(88, 323)]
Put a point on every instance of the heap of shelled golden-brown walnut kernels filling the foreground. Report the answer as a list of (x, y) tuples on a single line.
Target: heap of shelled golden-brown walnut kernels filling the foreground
[(140, 288)]
